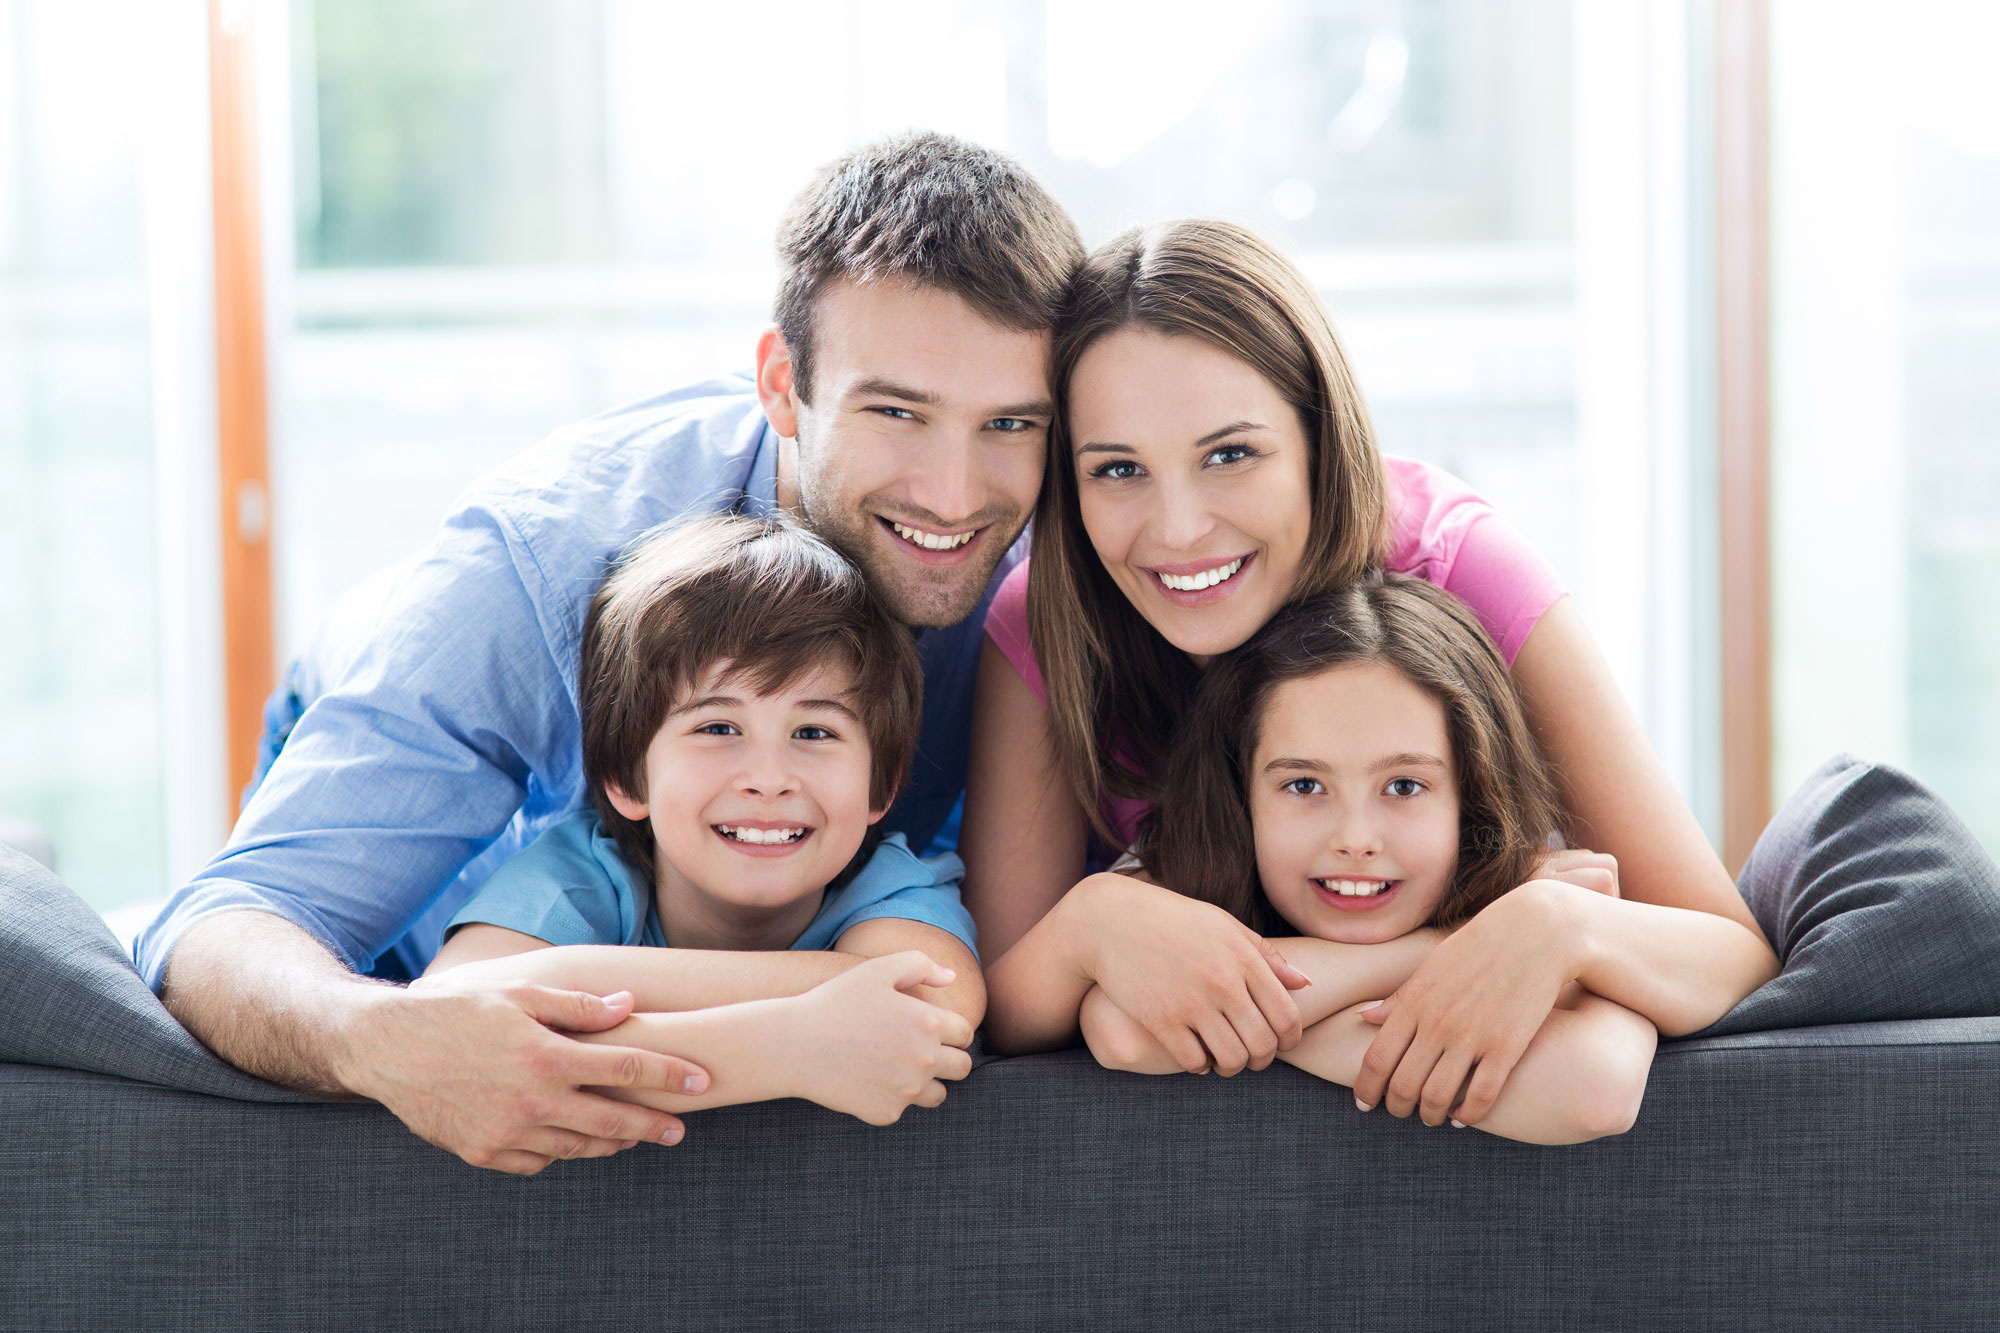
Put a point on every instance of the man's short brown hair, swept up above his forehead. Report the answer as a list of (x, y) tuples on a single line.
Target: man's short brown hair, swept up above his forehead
[(933, 211)]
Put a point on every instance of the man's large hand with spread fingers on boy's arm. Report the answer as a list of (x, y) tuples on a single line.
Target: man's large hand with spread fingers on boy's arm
[(483, 1070)]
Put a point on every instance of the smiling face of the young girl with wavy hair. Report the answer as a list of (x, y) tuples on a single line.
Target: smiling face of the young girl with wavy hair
[(1353, 804)]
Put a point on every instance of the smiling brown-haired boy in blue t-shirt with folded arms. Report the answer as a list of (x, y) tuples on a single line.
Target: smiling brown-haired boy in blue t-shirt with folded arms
[(749, 714)]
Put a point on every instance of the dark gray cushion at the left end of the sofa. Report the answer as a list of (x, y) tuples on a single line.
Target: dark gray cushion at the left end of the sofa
[(71, 998)]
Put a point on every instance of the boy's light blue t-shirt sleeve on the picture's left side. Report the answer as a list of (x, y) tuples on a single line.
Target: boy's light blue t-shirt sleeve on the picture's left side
[(567, 888)]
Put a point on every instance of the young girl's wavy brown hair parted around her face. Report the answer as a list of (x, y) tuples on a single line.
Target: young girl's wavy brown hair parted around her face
[(1199, 838)]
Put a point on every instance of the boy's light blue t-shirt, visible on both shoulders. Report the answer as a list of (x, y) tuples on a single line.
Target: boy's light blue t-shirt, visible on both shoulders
[(575, 888)]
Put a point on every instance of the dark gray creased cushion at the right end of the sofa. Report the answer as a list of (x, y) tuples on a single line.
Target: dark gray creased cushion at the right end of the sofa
[(1879, 902)]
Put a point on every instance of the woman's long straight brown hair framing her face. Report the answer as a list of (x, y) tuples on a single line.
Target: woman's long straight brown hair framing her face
[(1115, 688)]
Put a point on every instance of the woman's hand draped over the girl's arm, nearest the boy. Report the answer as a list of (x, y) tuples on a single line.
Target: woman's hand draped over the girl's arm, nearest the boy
[(1207, 988)]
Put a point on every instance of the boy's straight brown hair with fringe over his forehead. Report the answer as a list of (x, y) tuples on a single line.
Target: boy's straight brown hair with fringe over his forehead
[(763, 597)]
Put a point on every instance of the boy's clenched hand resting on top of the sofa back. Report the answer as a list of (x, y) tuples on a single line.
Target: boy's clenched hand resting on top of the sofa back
[(867, 1046)]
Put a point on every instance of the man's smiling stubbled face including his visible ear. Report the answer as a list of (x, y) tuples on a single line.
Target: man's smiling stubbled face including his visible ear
[(925, 441)]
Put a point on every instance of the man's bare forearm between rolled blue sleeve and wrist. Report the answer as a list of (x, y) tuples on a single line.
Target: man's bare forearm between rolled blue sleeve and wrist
[(267, 998)]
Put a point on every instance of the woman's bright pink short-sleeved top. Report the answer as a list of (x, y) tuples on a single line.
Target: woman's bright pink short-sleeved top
[(1439, 531)]
